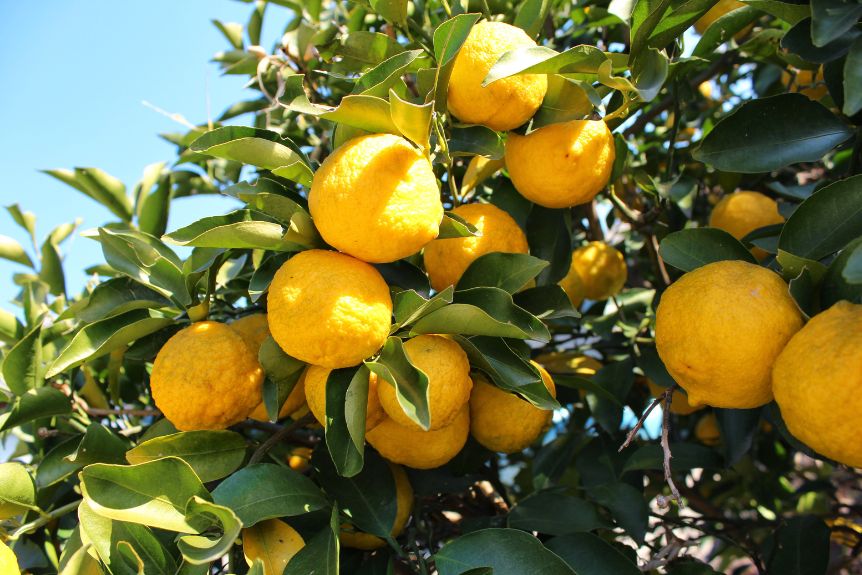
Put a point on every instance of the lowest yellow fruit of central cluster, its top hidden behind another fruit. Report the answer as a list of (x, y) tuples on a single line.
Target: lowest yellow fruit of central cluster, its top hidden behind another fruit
[(420, 449)]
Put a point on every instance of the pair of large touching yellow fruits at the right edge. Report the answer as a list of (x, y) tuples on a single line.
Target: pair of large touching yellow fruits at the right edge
[(732, 336)]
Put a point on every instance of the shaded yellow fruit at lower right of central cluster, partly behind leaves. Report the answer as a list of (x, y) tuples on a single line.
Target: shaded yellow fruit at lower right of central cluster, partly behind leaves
[(502, 421)]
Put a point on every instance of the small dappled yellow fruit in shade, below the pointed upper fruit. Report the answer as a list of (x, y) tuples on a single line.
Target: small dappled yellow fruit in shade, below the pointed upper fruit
[(598, 271)]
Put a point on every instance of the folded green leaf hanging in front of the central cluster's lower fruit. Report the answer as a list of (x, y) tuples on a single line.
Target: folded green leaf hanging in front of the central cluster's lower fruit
[(411, 383)]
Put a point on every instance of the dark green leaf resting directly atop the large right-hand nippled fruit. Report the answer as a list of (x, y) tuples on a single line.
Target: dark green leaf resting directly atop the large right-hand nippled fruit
[(692, 248)]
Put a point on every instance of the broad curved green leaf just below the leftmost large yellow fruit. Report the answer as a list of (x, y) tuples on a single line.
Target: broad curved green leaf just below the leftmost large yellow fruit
[(211, 454)]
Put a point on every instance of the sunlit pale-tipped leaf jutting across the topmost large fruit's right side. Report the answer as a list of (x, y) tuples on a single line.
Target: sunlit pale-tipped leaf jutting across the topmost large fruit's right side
[(541, 60)]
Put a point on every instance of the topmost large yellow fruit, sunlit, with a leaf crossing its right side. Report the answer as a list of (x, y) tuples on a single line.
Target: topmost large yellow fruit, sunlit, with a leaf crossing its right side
[(501, 105)]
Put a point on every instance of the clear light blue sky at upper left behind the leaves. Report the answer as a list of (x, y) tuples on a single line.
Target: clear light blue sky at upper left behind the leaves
[(74, 76)]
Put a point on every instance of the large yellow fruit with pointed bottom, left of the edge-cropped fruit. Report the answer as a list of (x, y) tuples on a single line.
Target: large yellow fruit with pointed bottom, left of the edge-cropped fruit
[(719, 330)]
